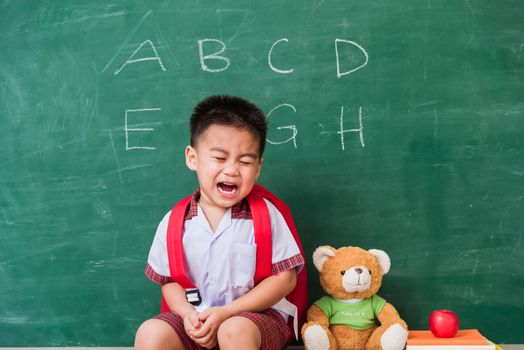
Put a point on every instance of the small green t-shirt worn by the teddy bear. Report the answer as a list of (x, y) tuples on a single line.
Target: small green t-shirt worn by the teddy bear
[(360, 315)]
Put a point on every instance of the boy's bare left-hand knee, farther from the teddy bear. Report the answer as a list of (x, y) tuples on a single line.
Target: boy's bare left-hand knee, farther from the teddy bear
[(156, 334)]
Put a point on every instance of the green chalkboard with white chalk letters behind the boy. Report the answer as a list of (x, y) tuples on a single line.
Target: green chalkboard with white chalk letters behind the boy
[(396, 125)]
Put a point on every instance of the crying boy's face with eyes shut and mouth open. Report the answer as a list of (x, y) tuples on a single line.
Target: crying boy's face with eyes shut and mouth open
[(227, 162)]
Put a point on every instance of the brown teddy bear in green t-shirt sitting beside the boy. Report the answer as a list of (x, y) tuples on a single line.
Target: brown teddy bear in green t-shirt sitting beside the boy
[(346, 318)]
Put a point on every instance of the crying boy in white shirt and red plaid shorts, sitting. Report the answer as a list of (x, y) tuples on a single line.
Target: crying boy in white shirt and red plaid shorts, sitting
[(227, 142)]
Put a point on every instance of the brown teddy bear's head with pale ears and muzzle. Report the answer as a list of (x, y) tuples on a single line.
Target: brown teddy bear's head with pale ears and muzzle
[(350, 272)]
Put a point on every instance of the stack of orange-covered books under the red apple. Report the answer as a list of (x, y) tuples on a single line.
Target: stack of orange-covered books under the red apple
[(468, 339)]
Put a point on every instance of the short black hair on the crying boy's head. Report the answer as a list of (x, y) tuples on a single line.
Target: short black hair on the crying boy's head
[(230, 111)]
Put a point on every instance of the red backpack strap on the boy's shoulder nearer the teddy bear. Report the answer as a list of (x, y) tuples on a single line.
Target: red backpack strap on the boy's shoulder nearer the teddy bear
[(262, 228)]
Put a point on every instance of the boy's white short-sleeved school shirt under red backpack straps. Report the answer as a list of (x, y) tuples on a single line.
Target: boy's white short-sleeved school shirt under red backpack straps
[(222, 264)]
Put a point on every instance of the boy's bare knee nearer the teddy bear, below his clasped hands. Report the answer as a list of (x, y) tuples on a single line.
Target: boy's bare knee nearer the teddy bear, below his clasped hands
[(238, 329)]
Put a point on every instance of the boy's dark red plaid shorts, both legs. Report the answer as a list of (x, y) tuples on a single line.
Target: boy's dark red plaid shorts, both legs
[(274, 331)]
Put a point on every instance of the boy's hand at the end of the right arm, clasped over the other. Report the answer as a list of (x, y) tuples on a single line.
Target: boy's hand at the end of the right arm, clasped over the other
[(212, 318)]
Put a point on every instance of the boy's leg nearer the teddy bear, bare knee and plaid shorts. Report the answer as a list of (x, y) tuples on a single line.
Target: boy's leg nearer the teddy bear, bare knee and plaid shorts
[(266, 330)]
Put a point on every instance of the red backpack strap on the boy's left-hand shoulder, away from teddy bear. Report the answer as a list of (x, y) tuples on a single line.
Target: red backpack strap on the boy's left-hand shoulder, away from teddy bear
[(175, 250)]
